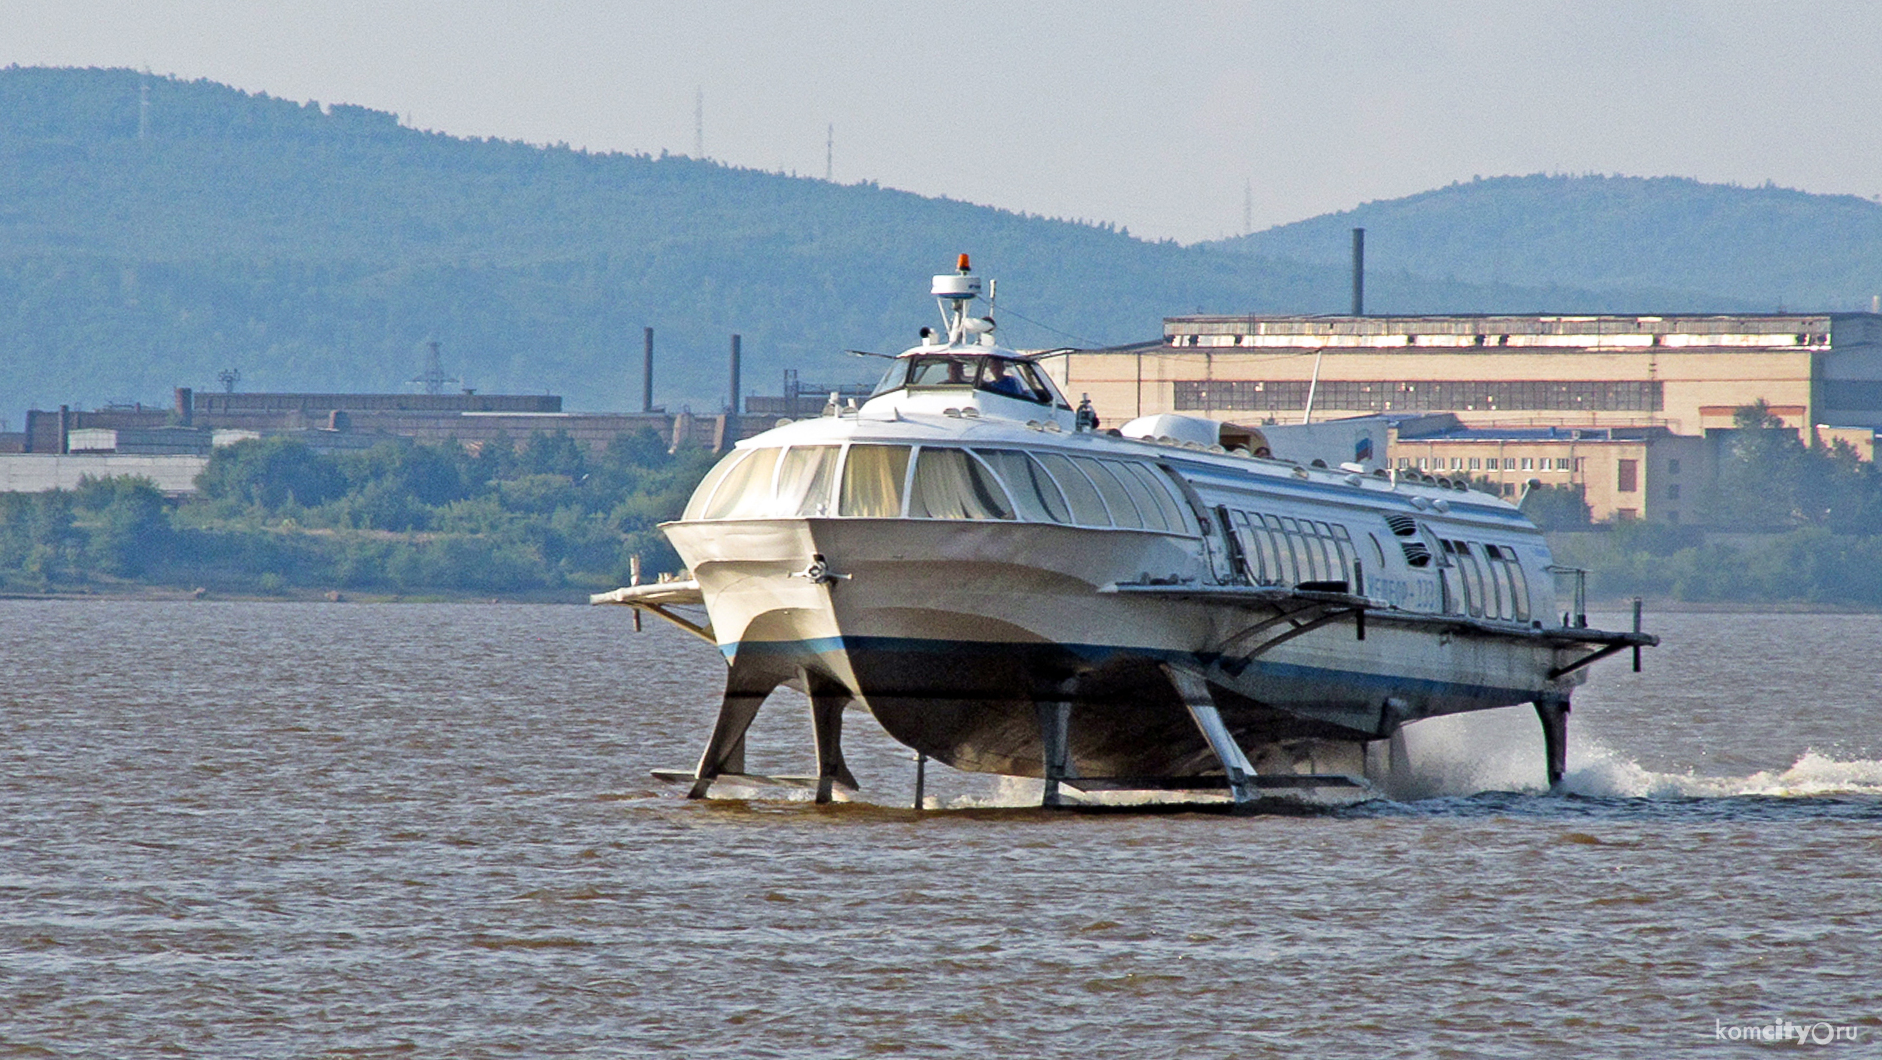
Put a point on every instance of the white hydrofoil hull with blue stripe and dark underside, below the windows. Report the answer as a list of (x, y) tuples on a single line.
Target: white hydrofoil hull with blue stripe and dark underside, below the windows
[(957, 634)]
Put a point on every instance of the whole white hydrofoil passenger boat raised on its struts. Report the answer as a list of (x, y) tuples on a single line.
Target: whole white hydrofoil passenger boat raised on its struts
[(1012, 590)]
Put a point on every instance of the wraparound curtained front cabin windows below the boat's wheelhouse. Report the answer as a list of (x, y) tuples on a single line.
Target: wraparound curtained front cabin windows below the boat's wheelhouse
[(940, 483)]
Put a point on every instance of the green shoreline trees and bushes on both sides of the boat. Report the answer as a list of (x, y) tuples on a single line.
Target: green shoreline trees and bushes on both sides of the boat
[(1787, 526)]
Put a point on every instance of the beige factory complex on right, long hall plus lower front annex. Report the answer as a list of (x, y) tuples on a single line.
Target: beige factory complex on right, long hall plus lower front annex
[(1629, 408)]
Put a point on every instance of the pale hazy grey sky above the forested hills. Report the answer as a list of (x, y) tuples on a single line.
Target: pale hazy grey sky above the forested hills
[(1149, 116)]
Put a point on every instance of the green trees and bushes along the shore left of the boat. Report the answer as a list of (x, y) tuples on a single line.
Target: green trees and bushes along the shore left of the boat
[(274, 517)]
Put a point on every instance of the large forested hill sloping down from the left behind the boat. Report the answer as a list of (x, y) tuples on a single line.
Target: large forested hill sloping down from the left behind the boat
[(317, 248)]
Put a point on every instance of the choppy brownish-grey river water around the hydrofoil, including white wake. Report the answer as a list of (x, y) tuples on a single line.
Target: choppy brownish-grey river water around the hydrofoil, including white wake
[(357, 831)]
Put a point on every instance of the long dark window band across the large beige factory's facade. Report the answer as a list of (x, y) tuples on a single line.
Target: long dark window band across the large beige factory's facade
[(1422, 396)]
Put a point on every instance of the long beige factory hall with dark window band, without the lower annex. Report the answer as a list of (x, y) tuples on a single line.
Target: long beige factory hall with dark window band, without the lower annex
[(1683, 374)]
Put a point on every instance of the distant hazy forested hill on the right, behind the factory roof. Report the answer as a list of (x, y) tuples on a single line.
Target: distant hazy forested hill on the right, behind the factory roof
[(1764, 248)]
